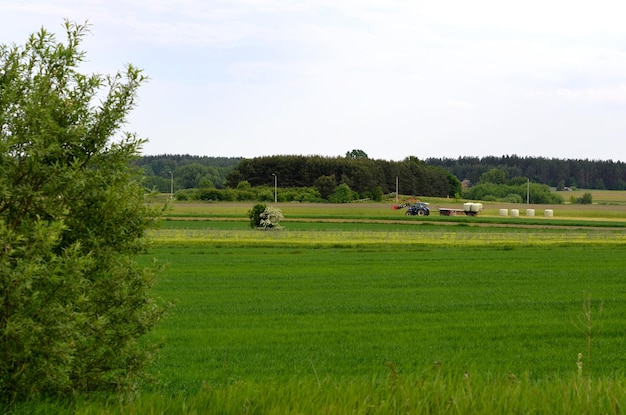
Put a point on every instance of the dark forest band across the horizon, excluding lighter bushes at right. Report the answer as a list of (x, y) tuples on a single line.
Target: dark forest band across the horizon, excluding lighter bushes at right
[(432, 177)]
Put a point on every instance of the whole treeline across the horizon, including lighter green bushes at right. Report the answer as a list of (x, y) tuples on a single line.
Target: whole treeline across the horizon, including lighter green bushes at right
[(355, 176)]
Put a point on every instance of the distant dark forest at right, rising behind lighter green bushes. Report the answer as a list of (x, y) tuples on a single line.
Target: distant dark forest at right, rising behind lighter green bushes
[(584, 174)]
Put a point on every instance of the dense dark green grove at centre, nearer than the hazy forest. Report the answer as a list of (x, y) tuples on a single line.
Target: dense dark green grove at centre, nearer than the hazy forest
[(367, 177)]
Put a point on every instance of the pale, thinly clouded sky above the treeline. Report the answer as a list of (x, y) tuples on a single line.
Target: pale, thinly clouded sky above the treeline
[(394, 78)]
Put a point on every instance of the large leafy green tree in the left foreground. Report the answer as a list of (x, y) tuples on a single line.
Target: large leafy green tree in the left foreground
[(74, 303)]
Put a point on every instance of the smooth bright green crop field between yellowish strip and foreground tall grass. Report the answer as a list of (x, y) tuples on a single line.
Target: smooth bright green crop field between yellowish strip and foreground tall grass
[(282, 312)]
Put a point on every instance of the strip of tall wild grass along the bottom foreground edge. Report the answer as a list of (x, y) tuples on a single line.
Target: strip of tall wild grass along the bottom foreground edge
[(434, 391)]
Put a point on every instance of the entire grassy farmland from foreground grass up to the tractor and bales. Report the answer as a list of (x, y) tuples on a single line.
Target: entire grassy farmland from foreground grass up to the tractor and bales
[(359, 309)]
